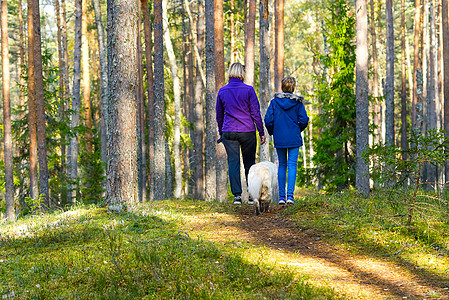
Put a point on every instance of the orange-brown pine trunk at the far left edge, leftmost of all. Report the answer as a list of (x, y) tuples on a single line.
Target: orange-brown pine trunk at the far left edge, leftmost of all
[(6, 81)]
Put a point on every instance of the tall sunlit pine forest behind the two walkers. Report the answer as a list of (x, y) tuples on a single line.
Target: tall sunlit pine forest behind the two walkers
[(118, 106)]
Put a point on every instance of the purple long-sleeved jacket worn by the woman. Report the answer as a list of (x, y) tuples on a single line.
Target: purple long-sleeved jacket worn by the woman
[(238, 108)]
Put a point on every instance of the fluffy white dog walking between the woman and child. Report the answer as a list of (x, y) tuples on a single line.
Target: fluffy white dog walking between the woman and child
[(263, 185)]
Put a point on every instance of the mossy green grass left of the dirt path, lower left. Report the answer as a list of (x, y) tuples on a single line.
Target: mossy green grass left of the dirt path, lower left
[(89, 253)]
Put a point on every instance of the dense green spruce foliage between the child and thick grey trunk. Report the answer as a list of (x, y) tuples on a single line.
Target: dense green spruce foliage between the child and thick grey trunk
[(335, 142)]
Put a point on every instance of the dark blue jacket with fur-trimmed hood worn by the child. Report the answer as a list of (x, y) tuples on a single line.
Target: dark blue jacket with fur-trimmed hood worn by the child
[(286, 118)]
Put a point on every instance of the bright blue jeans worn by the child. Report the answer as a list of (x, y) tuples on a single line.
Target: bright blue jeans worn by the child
[(285, 163)]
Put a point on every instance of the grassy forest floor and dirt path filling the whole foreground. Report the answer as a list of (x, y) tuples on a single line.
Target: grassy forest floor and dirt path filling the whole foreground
[(206, 250)]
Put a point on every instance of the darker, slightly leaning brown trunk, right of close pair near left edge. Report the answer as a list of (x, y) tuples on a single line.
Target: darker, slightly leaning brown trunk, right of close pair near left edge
[(40, 108)]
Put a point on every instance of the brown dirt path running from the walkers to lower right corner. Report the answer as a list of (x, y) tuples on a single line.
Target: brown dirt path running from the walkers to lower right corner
[(358, 277)]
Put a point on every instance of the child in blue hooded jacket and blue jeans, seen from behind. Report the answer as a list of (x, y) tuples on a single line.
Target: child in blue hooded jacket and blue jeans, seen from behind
[(286, 118)]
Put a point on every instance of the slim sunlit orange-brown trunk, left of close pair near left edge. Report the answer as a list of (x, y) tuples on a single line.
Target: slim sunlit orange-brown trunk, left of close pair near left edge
[(34, 189)]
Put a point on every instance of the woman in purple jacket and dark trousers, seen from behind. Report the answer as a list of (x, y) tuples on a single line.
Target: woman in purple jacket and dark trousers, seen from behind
[(237, 111)]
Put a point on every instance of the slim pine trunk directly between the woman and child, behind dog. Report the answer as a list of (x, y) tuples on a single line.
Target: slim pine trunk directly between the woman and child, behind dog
[(264, 71)]
